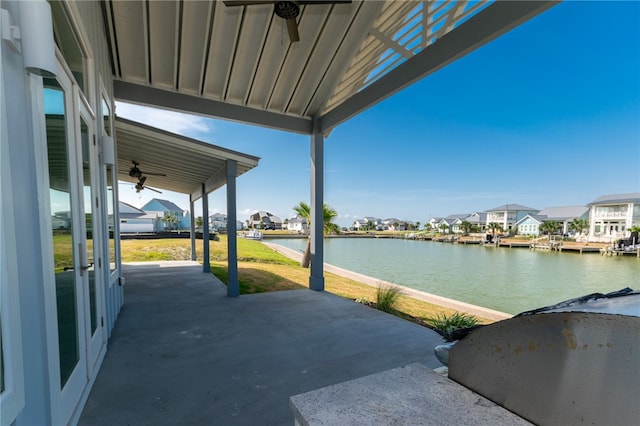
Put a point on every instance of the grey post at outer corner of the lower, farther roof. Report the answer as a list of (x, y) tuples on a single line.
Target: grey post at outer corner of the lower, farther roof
[(233, 285)]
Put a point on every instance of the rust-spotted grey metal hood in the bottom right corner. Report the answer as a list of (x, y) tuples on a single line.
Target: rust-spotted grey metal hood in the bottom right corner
[(577, 364)]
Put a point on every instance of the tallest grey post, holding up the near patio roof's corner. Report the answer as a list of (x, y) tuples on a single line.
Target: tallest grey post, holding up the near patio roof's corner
[(316, 280)]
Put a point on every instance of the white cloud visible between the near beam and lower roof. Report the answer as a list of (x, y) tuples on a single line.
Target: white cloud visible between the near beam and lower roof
[(171, 121)]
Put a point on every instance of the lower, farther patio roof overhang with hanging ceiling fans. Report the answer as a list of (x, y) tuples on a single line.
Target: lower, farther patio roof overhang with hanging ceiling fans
[(190, 166)]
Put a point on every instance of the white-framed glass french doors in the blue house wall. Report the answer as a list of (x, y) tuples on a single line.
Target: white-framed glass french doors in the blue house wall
[(72, 161)]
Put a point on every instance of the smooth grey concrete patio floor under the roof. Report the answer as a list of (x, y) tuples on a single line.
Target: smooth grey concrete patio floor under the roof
[(184, 353)]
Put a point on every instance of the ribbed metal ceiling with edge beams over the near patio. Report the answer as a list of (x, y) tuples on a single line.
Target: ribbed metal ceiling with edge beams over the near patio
[(237, 62)]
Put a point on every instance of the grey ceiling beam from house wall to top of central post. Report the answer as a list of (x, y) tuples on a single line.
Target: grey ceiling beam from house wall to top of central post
[(149, 96)]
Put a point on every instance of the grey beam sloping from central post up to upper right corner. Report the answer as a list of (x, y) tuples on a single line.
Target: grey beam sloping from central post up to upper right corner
[(493, 21)]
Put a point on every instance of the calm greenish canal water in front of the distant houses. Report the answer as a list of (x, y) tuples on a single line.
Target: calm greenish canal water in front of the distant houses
[(508, 280)]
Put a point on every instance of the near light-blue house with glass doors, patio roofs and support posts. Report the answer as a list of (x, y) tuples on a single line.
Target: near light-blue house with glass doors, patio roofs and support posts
[(65, 63)]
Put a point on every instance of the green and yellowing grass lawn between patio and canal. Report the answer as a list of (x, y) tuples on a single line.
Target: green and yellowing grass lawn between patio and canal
[(261, 269)]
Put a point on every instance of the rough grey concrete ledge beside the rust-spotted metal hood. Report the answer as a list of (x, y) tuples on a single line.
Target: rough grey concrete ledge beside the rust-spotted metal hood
[(410, 395)]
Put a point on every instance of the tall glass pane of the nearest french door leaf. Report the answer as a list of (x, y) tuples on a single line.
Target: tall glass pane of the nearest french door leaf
[(62, 228)]
